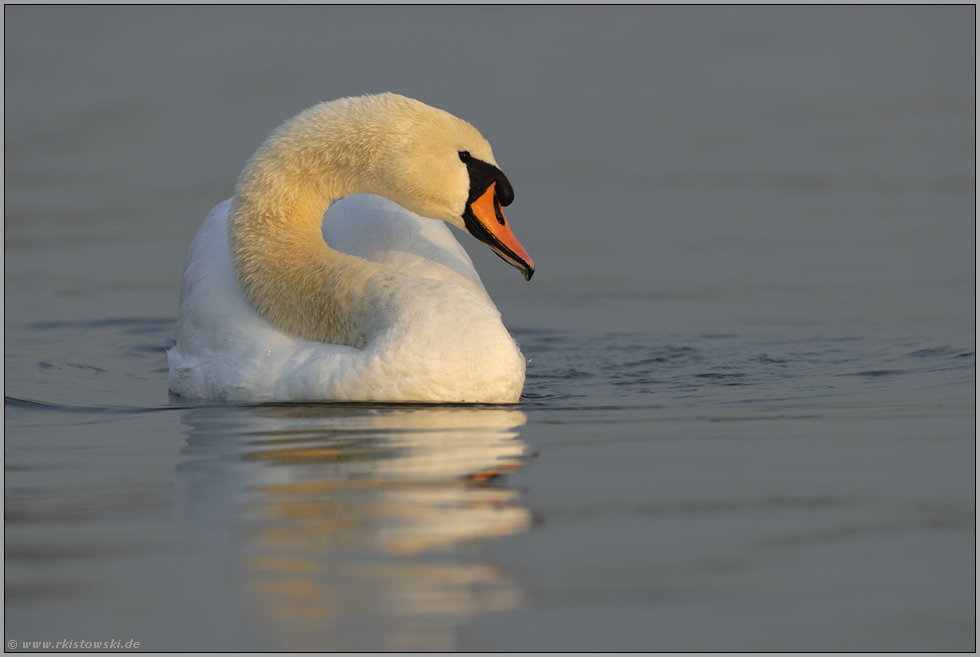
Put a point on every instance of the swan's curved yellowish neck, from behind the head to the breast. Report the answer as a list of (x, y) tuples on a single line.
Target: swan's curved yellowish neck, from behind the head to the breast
[(287, 271)]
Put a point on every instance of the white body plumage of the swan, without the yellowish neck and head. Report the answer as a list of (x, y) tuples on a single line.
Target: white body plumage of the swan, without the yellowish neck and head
[(450, 344)]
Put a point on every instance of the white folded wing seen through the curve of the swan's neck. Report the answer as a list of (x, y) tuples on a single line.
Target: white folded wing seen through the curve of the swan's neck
[(374, 228)]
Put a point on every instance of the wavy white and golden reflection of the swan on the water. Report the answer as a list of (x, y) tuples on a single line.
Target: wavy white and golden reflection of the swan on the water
[(352, 526)]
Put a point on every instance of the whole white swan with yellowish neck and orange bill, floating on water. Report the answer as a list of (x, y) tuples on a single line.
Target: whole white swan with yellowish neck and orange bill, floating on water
[(331, 273)]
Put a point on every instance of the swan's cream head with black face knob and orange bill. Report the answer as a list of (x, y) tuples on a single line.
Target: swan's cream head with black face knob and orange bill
[(441, 167)]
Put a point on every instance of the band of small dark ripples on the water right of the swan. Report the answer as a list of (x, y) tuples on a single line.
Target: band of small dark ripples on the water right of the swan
[(631, 370)]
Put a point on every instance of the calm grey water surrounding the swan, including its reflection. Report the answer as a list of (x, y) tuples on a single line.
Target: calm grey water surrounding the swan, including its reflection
[(749, 416)]
